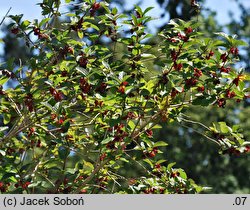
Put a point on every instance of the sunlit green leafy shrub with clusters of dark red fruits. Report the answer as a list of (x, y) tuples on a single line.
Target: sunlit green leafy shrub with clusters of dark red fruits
[(81, 114)]
